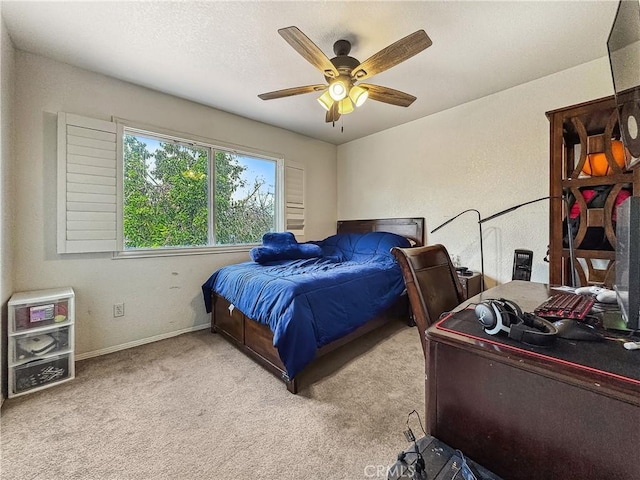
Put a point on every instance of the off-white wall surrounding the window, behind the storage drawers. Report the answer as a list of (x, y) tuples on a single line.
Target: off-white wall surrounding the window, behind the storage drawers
[(161, 295)]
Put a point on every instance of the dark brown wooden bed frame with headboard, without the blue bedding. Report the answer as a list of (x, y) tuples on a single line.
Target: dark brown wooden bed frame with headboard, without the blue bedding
[(256, 339)]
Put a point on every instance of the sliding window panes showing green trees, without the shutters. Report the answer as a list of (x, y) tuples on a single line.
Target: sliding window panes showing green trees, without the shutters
[(178, 193)]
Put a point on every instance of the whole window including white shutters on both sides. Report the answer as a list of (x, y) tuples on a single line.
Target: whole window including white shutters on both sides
[(140, 191)]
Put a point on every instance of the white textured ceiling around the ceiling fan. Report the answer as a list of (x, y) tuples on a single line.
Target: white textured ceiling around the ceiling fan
[(223, 54)]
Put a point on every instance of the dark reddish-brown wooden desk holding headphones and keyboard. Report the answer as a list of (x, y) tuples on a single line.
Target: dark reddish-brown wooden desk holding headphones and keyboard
[(568, 411)]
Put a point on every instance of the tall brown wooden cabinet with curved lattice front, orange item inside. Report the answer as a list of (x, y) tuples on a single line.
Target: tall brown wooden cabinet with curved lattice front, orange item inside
[(578, 134)]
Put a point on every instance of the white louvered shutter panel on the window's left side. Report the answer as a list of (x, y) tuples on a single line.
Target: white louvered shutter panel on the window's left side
[(87, 185)]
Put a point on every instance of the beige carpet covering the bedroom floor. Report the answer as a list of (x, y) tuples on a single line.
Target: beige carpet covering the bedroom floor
[(194, 407)]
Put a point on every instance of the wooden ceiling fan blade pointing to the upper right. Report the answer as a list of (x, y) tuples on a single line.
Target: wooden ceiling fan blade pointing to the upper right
[(392, 55)]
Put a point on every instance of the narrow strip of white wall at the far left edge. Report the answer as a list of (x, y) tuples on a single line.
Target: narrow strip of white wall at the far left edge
[(7, 68)]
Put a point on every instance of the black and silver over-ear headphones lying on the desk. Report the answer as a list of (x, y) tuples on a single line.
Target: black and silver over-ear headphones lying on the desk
[(504, 315)]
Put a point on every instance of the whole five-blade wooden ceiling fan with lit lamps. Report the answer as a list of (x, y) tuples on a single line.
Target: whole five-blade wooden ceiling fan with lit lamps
[(343, 73)]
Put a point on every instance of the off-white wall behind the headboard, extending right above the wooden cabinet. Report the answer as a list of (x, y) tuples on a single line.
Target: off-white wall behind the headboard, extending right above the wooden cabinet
[(488, 154)]
